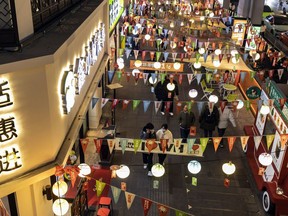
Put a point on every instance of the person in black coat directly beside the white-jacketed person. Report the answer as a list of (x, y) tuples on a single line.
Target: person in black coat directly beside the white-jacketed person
[(209, 120)]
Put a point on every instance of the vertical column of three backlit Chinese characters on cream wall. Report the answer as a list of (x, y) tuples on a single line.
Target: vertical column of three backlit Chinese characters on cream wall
[(9, 157)]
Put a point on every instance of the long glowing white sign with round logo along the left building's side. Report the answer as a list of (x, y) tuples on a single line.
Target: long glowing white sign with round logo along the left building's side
[(74, 79)]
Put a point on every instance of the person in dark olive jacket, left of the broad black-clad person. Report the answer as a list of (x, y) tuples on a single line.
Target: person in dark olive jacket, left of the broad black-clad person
[(186, 120)]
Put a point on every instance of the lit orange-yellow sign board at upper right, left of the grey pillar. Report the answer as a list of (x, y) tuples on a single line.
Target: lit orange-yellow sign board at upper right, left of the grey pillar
[(238, 33)]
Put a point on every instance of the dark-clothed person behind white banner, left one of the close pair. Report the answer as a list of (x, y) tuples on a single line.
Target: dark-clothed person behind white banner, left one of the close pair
[(148, 132)]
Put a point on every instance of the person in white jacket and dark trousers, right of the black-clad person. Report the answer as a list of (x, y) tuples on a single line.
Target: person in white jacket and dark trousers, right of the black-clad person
[(225, 116)]
